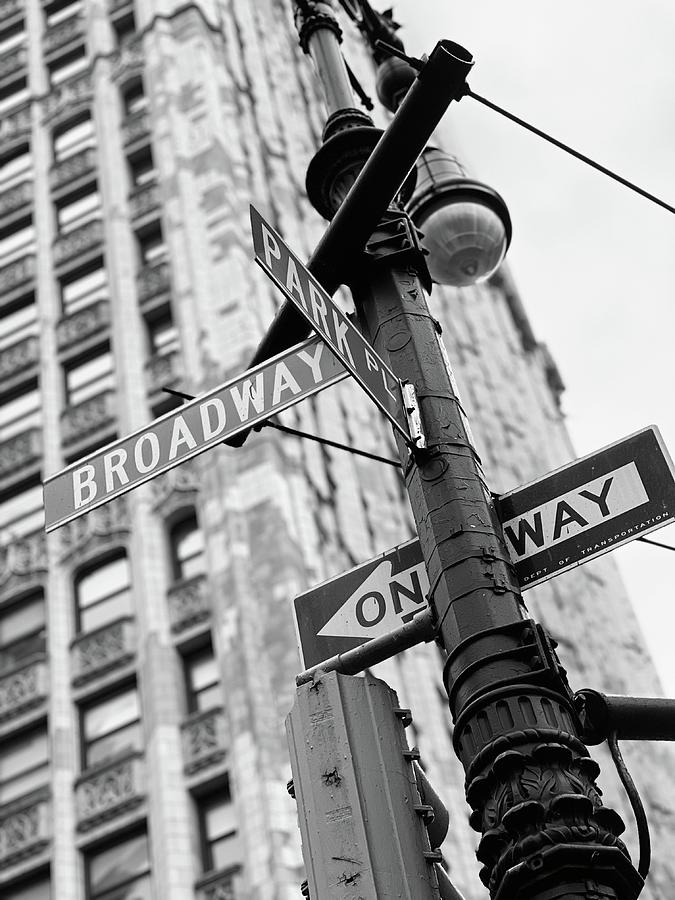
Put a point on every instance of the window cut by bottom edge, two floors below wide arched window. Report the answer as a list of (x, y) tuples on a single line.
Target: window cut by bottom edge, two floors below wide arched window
[(120, 871)]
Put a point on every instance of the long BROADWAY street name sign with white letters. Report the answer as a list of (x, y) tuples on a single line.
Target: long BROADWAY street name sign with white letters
[(179, 435)]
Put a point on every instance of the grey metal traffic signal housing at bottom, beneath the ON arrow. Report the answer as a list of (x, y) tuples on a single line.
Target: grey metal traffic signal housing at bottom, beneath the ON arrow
[(363, 819)]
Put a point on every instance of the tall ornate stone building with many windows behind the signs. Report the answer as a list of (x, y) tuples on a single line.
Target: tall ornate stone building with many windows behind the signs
[(147, 650)]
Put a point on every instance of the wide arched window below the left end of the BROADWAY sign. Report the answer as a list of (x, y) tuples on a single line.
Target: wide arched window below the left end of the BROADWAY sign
[(103, 594)]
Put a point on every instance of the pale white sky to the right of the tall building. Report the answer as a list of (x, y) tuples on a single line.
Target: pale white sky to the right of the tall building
[(594, 262)]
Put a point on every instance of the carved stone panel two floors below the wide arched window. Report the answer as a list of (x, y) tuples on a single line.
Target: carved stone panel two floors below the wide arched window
[(109, 791)]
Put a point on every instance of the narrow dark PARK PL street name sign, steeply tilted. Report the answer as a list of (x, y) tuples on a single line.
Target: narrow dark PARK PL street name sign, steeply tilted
[(345, 340)]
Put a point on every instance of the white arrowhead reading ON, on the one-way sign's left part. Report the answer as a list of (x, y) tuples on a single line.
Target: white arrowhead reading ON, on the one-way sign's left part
[(383, 602)]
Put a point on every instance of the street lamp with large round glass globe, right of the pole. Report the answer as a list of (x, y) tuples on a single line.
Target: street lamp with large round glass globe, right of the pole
[(465, 225)]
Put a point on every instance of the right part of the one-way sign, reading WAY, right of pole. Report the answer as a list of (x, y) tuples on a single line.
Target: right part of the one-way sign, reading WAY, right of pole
[(588, 507)]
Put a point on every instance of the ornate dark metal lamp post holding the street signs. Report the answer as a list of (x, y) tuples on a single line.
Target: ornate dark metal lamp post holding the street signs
[(529, 779)]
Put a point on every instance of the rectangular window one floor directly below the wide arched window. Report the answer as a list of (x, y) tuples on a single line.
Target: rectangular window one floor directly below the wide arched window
[(110, 727)]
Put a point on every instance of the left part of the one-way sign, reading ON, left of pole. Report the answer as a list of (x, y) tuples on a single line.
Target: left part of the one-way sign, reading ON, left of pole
[(367, 601)]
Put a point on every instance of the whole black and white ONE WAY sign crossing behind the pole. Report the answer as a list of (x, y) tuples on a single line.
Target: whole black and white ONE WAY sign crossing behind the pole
[(569, 516)]
